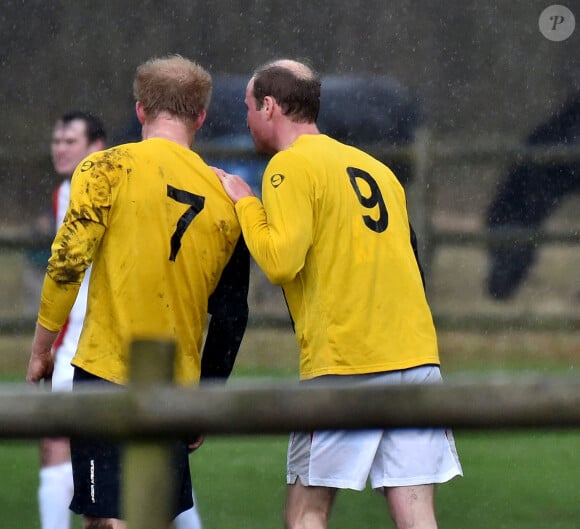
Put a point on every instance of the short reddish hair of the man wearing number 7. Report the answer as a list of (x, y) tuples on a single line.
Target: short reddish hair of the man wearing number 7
[(172, 84)]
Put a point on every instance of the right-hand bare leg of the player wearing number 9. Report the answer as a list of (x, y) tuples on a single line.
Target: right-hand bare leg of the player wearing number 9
[(412, 506)]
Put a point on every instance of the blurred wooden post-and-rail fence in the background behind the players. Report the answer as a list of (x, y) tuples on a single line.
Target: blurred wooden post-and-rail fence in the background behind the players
[(421, 156)]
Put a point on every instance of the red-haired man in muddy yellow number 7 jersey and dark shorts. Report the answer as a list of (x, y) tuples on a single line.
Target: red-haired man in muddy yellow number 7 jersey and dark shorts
[(166, 248)]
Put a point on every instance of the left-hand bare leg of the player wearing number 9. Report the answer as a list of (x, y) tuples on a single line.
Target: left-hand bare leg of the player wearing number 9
[(308, 507)]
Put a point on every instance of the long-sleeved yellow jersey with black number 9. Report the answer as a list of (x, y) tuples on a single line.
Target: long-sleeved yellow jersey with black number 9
[(333, 230)]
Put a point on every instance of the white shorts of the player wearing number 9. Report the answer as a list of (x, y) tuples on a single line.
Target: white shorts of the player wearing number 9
[(346, 459)]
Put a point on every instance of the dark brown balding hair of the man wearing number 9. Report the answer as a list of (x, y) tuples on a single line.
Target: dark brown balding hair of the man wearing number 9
[(294, 85)]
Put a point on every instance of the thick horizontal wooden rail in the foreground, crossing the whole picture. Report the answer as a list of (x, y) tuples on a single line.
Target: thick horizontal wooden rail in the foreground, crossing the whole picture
[(162, 412)]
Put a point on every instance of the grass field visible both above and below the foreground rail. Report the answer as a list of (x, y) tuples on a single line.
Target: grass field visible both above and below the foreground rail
[(513, 479)]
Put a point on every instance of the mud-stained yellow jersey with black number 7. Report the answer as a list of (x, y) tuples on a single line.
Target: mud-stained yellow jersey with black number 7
[(155, 222)]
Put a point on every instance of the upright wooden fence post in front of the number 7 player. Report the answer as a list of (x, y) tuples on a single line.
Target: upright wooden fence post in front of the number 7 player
[(147, 481)]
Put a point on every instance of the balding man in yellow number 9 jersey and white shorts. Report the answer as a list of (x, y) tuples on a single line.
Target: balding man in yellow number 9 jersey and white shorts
[(333, 230)]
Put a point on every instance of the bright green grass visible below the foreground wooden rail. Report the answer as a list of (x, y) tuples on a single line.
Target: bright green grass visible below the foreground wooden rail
[(513, 480)]
